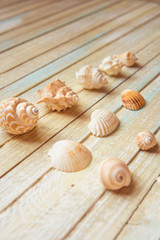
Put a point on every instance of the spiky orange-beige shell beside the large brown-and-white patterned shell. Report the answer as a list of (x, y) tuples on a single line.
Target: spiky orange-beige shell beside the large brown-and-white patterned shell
[(58, 96)]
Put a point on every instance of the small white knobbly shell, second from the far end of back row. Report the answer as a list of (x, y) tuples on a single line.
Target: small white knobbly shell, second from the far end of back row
[(110, 66)]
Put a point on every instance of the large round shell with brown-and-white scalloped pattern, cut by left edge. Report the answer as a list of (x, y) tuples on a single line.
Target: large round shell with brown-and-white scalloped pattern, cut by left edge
[(17, 116)]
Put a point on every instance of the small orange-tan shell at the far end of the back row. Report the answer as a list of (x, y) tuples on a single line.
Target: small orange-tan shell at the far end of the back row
[(127, 58)]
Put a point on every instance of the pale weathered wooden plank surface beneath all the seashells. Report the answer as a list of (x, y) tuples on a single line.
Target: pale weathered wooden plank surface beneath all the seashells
[(40, 41)]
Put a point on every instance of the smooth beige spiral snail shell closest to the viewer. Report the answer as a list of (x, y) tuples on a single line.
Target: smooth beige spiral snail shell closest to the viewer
[(114, 174)]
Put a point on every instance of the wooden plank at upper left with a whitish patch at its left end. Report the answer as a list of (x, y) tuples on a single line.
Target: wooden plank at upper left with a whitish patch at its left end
[(35, 15)]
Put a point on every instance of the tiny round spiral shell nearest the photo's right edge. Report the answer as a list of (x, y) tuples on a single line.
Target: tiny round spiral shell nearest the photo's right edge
[(146, 140)]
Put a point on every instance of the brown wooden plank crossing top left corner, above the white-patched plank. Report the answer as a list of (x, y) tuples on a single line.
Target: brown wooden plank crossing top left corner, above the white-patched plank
[(21, 7)]
